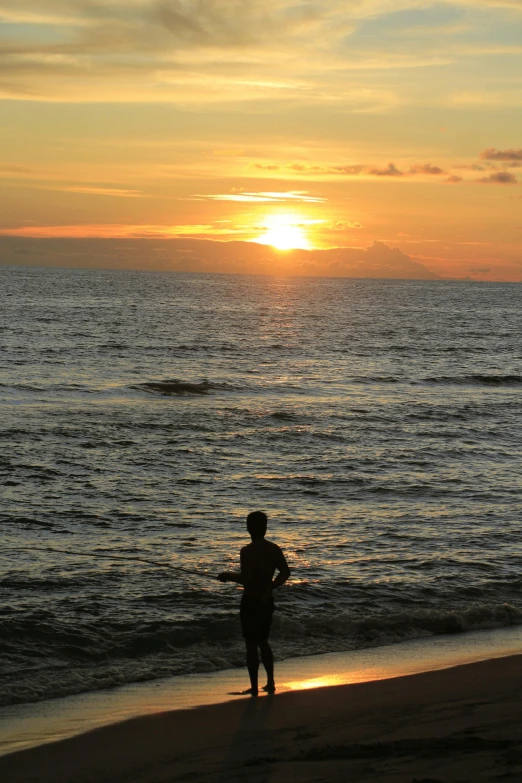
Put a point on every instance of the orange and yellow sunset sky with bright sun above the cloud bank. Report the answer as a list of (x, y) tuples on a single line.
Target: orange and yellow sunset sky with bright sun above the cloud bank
[(362, 124)]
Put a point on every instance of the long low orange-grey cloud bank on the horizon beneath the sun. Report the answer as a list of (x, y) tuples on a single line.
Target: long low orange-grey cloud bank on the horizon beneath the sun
[(378, 260)]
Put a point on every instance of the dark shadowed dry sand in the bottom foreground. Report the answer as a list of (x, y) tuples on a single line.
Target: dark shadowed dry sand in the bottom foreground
[(457, 724)]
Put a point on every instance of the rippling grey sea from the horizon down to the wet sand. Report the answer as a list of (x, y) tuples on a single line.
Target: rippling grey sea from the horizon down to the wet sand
[(376, 422)]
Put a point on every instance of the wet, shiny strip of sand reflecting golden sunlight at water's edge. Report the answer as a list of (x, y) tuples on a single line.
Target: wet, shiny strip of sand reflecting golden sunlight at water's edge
[(31, 725)]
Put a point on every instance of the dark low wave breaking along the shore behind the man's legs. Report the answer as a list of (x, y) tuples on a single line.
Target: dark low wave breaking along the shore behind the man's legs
[(81, 662)]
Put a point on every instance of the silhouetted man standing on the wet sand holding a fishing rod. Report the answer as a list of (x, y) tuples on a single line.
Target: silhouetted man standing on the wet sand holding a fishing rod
[(259, 561)]
